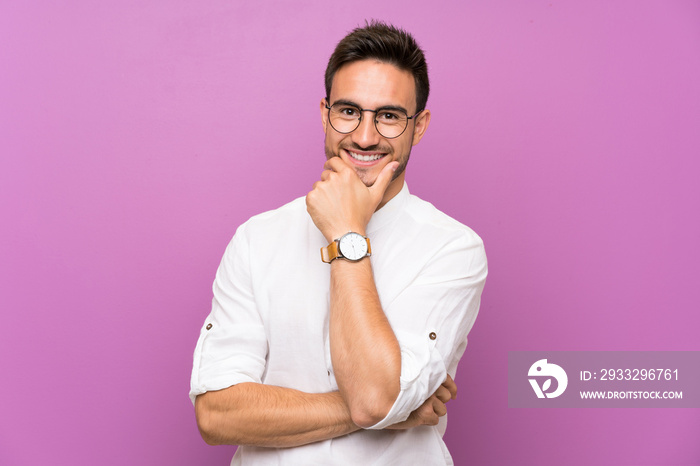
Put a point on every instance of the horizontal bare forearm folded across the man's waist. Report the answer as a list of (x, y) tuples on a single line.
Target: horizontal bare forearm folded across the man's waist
[(270, 416)]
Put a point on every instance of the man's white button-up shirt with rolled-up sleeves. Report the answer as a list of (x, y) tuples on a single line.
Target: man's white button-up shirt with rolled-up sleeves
[(269, 321)]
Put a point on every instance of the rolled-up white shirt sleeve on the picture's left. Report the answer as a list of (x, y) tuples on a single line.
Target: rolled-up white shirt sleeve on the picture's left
[(232, 346)]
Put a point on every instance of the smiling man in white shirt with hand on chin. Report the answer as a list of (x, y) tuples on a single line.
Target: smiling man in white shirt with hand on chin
[(342, 358)]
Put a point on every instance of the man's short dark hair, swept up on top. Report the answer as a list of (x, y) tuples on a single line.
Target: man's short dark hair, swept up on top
[(386, 43)]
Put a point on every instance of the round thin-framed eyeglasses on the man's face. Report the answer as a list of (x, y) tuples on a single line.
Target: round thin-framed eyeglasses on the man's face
[(390, 122)]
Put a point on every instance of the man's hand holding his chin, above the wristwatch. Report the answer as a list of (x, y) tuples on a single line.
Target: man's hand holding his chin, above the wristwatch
[(340, 201)]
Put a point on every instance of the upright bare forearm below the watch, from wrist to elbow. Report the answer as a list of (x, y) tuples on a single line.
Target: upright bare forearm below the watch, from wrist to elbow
[(365, 352)]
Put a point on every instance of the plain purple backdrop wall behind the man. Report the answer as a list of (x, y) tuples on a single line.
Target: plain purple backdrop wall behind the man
[(135, 137)]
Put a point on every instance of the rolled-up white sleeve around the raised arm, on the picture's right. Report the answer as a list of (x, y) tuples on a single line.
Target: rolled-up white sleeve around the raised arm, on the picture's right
[(438, 309)]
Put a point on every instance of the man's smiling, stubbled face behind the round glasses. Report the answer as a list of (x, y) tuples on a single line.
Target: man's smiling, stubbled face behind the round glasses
[(372, 84)]
